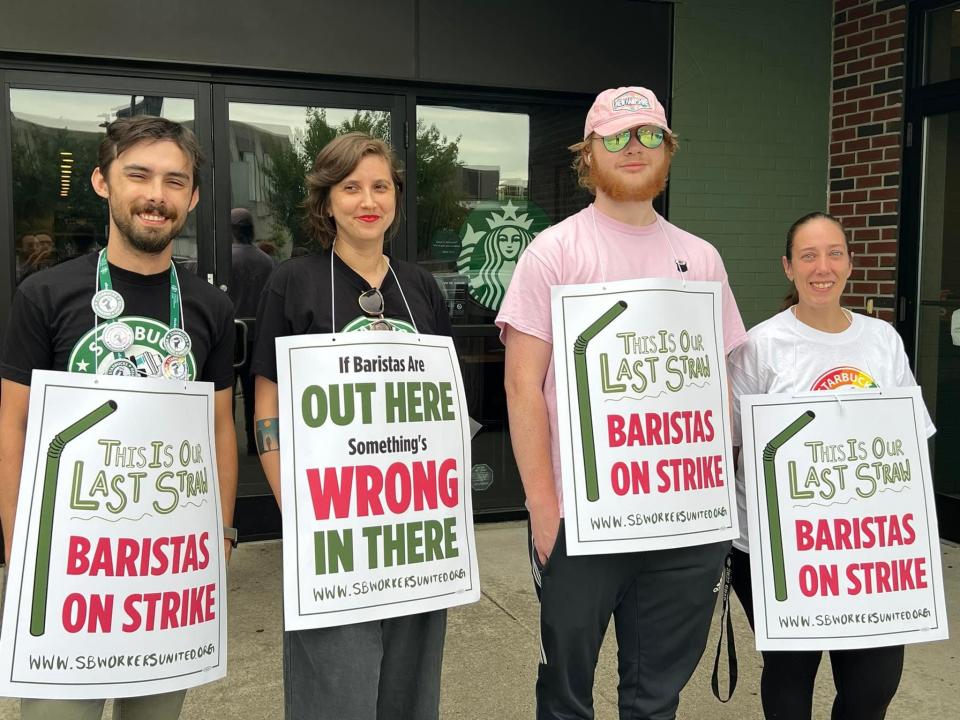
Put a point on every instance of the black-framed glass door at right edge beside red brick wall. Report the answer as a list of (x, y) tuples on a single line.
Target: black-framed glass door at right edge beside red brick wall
[(928, 279)]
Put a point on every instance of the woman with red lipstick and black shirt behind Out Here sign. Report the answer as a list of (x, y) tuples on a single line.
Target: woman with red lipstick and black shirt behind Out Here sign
[(385, 668)]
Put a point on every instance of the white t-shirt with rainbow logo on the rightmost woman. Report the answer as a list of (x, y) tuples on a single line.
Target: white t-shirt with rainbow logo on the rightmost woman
[(783, 355)]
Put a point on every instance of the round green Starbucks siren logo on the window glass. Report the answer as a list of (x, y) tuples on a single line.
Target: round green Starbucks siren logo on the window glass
[(490, 245)]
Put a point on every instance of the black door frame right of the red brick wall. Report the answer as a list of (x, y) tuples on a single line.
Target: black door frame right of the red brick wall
[(920, 102)]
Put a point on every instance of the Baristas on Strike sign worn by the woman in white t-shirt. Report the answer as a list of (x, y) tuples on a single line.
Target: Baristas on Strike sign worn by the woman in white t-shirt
[(844, 547)]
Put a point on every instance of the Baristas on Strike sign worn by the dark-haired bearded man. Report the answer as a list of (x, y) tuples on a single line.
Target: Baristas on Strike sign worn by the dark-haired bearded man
[(115, 585)]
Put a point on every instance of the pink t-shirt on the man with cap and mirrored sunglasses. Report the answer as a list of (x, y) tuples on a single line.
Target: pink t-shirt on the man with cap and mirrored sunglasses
[(577, 251)]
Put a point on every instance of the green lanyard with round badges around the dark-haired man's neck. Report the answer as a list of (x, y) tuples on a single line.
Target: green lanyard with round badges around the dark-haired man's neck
[(118, 336)]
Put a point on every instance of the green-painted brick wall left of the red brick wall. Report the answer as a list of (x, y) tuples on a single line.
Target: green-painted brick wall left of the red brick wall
[(751, 105)]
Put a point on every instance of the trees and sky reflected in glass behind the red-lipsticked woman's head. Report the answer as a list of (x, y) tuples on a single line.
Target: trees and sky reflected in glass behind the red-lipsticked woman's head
[(272, 148)]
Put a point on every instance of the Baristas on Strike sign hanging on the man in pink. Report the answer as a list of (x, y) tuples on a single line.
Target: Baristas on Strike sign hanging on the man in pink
[(643, 415)]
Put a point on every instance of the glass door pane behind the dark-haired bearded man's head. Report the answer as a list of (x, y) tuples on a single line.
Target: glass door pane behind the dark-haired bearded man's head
[(56, 123)]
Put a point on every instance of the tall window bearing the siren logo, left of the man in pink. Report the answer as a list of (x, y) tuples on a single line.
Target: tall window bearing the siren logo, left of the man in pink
[(489, 180)]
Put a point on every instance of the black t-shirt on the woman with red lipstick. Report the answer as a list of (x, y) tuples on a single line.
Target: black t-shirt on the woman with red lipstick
[(297, 299)]
